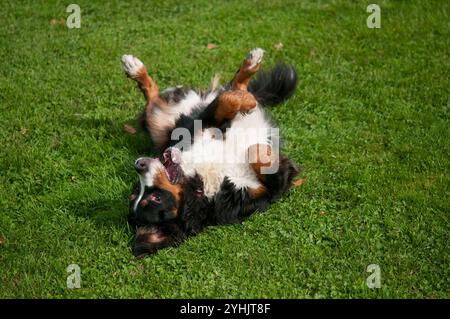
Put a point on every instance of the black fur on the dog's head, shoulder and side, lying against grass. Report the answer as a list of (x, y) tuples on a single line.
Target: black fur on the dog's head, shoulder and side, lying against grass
[(228, 206)]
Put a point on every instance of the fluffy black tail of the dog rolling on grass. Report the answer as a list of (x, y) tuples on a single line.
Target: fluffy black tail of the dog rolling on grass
[(274, 86)]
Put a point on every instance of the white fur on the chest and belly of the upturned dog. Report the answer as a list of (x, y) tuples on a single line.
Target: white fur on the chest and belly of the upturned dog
[(216, 158)]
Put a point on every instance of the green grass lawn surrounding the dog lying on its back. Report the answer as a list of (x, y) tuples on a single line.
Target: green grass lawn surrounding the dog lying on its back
[(369, 123)]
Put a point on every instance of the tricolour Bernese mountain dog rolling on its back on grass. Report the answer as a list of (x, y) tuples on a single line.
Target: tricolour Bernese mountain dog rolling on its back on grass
[(220, 158)]
